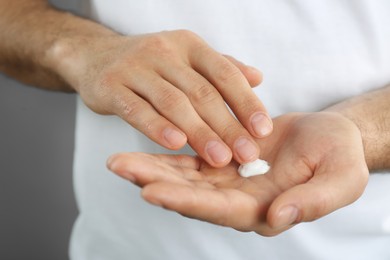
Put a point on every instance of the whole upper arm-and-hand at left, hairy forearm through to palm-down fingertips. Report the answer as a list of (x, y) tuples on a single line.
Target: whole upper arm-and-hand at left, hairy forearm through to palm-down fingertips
[(163, 84)]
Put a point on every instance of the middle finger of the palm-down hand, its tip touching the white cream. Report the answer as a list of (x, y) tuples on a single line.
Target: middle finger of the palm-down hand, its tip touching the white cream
[(211, 107)]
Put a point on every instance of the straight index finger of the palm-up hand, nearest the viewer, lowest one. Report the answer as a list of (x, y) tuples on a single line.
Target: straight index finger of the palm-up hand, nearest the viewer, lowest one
[(226, 207)]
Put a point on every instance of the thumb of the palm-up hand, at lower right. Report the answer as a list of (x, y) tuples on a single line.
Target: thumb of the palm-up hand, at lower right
[(329, 190)]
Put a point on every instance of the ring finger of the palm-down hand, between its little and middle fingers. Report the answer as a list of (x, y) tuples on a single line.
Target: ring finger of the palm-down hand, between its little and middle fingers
[(174, 105)]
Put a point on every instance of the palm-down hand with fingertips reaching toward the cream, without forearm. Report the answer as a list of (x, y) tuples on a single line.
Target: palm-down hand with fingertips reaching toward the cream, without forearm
[(172, 87)]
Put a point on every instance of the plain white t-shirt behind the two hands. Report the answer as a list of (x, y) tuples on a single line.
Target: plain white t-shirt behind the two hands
[(312, 54)]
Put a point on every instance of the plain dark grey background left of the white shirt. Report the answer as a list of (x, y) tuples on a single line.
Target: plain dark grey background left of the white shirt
[(36, 148)]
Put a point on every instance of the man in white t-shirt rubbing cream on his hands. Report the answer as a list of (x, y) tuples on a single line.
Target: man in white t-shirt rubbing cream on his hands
[(172, 86)]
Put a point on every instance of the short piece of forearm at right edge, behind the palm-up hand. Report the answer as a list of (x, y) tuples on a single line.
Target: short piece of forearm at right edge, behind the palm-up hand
[(371, 113)]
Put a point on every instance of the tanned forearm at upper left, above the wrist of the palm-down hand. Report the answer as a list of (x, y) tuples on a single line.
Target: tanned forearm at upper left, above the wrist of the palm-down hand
[(32, 36)]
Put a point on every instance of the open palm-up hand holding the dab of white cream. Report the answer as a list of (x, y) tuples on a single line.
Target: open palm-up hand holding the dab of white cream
[(317, 166)]
